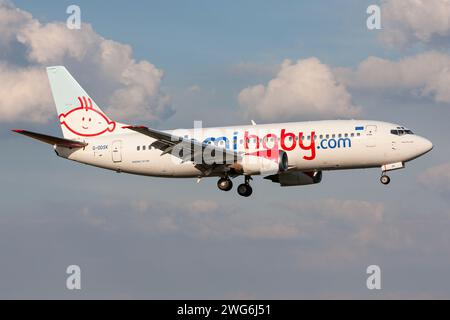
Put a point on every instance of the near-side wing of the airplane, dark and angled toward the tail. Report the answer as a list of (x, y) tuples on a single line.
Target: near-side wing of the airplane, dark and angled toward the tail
[(203, 155)]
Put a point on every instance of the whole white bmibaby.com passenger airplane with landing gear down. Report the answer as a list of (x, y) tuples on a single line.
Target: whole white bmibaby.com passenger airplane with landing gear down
[(290, 154)]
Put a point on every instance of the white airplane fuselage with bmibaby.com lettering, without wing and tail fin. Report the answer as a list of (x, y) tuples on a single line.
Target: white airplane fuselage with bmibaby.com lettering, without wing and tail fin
[(336, 144)]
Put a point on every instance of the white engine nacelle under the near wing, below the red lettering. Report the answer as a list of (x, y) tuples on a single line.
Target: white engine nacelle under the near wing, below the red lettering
[(262, 164)]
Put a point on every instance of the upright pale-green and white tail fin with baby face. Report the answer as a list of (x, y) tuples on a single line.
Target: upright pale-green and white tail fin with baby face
[(79, 115)]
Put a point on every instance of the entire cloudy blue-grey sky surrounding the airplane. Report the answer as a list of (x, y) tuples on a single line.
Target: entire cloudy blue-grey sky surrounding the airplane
[(168, 63)]
